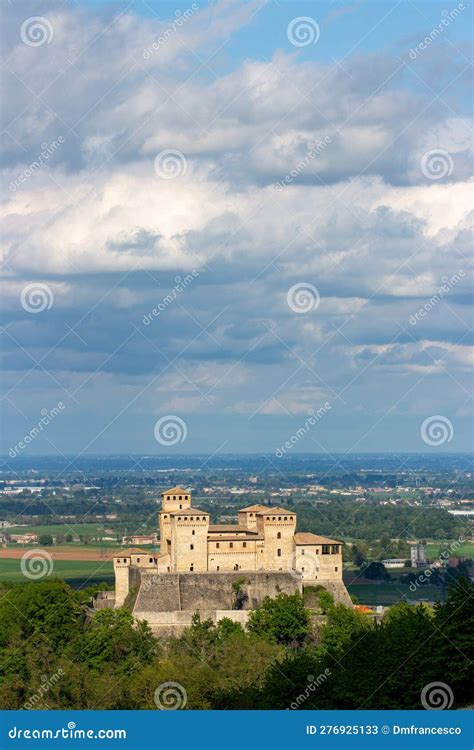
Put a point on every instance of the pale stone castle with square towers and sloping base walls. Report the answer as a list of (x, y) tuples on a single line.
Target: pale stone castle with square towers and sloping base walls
[(200, 564)]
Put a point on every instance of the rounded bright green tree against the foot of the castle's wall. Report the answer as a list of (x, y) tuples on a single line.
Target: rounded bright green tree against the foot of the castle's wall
[(282, 620)]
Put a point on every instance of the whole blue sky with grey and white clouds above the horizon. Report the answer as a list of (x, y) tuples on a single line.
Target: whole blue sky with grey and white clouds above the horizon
[(236, 227)]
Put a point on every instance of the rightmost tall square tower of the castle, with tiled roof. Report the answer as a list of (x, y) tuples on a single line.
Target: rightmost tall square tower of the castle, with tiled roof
[(277, 526)]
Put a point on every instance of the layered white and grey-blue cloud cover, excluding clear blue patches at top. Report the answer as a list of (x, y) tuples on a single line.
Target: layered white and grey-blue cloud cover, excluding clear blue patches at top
[(294, 171)]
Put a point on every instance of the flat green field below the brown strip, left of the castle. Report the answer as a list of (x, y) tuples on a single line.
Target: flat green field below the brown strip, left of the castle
[(76, 572)]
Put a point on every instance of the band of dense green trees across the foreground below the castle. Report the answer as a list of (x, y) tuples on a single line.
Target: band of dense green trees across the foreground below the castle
[(52, 654)]
